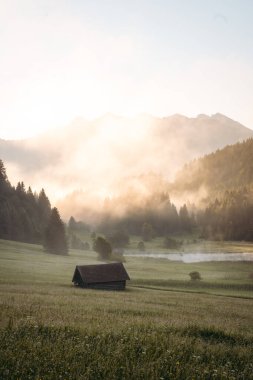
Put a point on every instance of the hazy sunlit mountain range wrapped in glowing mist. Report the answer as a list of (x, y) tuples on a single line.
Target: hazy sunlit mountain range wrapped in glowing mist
[(96, 159)]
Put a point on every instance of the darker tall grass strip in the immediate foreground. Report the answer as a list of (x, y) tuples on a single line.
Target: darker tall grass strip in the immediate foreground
[(41, 352)]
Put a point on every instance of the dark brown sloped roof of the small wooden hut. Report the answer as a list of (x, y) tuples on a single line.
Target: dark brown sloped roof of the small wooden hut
[(102, 273)]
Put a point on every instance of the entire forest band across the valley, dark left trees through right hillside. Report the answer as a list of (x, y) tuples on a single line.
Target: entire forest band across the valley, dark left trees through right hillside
[(226, 212)]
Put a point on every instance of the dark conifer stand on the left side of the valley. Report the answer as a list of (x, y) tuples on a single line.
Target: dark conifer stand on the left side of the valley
[(28, 217)]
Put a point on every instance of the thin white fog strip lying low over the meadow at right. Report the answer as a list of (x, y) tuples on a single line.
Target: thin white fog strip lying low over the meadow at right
[(193, 257)]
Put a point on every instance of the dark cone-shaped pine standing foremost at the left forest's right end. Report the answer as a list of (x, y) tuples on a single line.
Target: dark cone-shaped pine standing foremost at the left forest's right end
[(55, 237)]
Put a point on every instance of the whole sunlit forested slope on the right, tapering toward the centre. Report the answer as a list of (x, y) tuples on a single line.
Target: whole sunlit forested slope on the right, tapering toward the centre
[(225, 212)]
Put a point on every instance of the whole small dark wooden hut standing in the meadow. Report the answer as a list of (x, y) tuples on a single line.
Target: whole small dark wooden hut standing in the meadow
[(102, 276)]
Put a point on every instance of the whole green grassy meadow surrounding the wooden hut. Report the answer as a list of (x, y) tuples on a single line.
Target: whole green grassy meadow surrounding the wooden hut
[(163, 326)]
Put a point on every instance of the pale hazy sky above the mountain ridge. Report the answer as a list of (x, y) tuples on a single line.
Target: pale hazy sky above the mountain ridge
[(60, 59)]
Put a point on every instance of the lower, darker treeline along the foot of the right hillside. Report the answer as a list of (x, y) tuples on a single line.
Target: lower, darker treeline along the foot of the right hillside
[(227, 217)]
